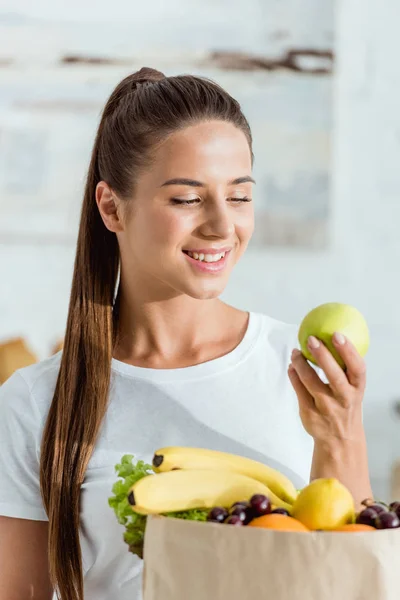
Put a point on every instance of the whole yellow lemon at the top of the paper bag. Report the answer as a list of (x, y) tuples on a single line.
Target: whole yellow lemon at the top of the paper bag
[(324, 504)]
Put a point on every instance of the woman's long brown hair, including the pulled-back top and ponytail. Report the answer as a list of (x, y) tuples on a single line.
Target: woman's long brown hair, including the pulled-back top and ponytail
[(142, 111)]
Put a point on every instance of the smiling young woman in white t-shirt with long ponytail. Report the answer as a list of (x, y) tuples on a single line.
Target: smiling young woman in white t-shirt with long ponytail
[(152, 356)]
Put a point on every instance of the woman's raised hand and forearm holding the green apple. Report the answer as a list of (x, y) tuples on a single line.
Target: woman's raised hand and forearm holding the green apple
[(332, 412)]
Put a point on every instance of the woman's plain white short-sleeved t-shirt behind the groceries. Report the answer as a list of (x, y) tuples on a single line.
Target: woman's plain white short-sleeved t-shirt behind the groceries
[(242, 403)]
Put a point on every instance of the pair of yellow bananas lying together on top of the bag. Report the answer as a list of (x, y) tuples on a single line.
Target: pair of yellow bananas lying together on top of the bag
[(189, 478)]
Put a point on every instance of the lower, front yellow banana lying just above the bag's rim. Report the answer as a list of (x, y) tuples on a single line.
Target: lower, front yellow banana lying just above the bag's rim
[(203, 488)]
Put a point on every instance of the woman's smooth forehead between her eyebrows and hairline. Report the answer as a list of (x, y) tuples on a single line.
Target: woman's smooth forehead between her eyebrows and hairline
[(206, 151)]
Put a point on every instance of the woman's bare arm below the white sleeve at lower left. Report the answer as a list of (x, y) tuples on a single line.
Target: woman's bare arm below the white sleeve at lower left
[(23, 559)]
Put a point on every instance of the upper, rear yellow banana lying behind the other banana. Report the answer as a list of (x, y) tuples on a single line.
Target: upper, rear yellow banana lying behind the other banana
[(170, 458)]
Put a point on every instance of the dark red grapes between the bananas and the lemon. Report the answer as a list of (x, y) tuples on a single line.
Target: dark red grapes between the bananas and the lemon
[(241, 513)]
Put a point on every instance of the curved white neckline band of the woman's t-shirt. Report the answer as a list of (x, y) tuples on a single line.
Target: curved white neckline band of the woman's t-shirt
[(211, 367)]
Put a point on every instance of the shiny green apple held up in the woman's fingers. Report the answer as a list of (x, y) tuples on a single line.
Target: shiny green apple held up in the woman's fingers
[(326, 319)]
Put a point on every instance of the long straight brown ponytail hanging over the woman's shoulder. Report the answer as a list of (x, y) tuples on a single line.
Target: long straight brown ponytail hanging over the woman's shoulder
[(81, 394)]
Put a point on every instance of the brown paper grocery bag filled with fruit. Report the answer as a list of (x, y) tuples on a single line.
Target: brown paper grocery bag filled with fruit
[(188, 560)]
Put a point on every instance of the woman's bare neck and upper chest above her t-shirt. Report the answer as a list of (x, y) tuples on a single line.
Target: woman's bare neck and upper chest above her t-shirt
[(175, 331)]
